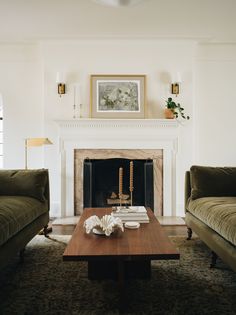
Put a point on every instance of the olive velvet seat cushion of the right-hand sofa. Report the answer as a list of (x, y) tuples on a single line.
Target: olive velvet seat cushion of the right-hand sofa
[(219, 213)]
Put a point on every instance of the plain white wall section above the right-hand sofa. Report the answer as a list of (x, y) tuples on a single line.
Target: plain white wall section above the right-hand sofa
[(215, 105)]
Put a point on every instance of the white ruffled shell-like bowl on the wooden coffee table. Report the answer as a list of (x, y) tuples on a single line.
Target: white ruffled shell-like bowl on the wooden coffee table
[(104, 226)]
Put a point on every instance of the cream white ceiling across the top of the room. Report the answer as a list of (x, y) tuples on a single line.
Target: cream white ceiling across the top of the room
[(37, 20)]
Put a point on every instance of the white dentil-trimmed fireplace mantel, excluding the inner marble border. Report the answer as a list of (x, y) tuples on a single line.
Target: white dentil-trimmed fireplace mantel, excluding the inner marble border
[(117, 134)]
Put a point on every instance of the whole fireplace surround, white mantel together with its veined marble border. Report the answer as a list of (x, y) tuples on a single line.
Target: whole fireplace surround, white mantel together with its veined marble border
[(130, 138)]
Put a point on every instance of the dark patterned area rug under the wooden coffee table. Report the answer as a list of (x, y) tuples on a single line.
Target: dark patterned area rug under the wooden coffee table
[(44, 284)]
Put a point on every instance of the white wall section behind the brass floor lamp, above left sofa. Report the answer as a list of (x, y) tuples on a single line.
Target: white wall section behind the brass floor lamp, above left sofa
[(21, 89)]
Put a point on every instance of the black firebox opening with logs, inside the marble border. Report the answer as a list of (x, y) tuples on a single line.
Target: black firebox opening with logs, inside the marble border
[(101, 182)]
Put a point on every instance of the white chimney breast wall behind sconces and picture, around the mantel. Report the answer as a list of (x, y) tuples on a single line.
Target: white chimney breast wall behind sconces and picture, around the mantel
[(78, 59)]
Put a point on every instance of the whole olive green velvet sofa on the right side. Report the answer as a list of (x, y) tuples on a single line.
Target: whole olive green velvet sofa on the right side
[(210, 206)]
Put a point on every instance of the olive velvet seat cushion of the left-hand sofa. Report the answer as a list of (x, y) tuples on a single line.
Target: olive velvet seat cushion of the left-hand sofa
[(16, 212)]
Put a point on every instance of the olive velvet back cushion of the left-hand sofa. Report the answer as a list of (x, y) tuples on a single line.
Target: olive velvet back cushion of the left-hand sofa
[(32, 183)]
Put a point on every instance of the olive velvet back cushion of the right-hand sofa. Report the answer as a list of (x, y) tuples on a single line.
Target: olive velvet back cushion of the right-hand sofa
[(212, 181)]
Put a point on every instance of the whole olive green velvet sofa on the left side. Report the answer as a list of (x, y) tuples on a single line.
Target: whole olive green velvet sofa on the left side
[(24, 209)]
